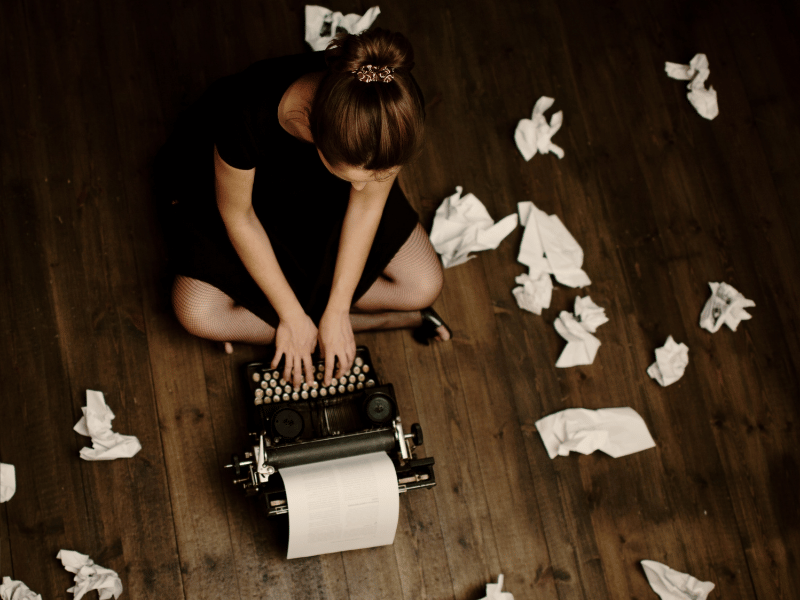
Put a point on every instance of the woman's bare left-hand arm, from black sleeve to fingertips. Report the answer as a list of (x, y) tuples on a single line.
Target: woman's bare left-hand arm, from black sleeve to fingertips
[(296, 336)]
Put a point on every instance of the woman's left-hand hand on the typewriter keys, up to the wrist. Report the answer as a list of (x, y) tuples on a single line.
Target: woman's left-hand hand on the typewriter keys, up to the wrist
[(295, 340)]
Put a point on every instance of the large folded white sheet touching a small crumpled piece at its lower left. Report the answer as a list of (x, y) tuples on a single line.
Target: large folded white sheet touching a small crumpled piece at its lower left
[(547, 246)]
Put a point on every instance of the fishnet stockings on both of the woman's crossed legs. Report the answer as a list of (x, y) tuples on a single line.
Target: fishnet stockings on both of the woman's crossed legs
[(412, 281)]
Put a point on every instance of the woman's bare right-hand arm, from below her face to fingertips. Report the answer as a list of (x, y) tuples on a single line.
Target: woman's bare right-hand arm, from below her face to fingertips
[(361, 221)]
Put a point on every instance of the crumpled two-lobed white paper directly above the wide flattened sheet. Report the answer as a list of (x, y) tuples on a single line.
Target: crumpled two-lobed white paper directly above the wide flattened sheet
[(577, 329)]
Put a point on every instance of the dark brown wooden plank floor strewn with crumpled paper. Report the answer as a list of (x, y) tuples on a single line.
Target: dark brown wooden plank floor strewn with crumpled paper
[(661, 200)]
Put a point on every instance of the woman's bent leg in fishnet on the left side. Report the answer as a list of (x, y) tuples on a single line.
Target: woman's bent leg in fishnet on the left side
[(208, 312)]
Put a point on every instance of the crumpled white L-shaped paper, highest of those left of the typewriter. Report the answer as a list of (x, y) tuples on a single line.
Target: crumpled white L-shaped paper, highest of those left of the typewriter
[(96, 423)]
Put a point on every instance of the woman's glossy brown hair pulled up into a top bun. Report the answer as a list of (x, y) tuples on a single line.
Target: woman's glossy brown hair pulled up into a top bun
[(374, 126)]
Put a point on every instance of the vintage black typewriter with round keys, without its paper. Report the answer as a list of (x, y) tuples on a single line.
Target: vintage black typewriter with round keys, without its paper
[(356, 414)]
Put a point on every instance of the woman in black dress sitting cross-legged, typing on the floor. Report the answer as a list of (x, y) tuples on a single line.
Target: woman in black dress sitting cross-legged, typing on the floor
[(303, 235)]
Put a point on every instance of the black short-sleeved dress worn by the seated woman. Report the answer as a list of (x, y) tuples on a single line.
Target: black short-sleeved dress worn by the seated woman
[(299, 202)]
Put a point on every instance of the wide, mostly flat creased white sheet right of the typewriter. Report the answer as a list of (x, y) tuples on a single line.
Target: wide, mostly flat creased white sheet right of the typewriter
[(616, 431)]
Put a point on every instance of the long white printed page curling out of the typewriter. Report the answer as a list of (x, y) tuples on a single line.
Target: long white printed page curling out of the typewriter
[(341, 504)]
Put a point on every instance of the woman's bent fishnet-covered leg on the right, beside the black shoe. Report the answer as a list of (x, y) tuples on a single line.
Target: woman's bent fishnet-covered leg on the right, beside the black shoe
[(411, 282)]
